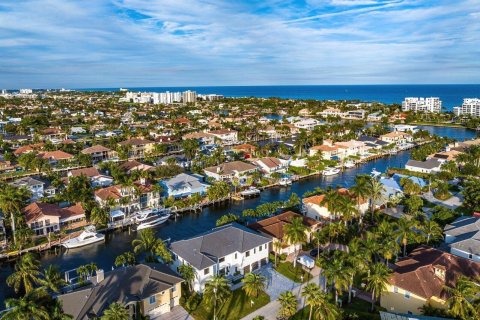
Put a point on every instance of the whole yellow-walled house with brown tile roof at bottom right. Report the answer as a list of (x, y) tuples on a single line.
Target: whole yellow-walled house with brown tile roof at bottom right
[(420, 279)]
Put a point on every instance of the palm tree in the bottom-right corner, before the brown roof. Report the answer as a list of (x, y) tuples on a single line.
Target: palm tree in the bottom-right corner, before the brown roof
[(461, 297)]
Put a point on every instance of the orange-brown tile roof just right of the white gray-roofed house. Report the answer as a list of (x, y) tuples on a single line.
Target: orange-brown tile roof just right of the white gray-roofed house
[(274, 226)]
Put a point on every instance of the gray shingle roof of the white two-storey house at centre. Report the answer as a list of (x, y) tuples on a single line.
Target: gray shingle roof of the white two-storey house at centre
[(201, 252)]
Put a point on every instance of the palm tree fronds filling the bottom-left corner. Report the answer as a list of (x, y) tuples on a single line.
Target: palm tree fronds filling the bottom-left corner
[(26, 307)]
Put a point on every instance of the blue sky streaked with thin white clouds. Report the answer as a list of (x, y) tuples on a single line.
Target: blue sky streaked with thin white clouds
[(115, 43)]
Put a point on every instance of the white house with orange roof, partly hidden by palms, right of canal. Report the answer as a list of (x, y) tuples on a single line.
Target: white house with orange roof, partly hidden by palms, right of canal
[(316, 208)]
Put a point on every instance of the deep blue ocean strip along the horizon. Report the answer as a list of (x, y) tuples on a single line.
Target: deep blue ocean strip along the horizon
[(451, 95)]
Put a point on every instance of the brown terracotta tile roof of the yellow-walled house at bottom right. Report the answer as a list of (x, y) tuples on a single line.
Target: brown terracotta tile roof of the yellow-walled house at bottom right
[(416, 273)]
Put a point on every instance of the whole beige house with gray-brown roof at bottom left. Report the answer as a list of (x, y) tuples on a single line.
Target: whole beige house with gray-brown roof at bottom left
[(147, 289)]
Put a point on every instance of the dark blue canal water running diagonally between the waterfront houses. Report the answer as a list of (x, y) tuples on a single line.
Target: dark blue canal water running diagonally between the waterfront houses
[(103, 254)]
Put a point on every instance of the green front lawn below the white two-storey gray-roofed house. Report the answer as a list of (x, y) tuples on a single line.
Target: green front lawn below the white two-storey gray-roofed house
[(236, 307)]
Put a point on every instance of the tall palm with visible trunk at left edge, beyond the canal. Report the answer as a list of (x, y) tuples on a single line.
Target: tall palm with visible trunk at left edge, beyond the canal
[(12, 200)]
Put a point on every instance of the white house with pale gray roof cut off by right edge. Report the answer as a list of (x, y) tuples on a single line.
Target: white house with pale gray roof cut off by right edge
[(463, 237)]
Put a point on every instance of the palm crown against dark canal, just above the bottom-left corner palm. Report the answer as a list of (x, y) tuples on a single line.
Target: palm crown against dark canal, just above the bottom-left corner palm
[(26, 273)]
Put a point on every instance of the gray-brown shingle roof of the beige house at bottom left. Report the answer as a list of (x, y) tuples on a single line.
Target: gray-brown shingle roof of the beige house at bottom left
[(122, 285)]
